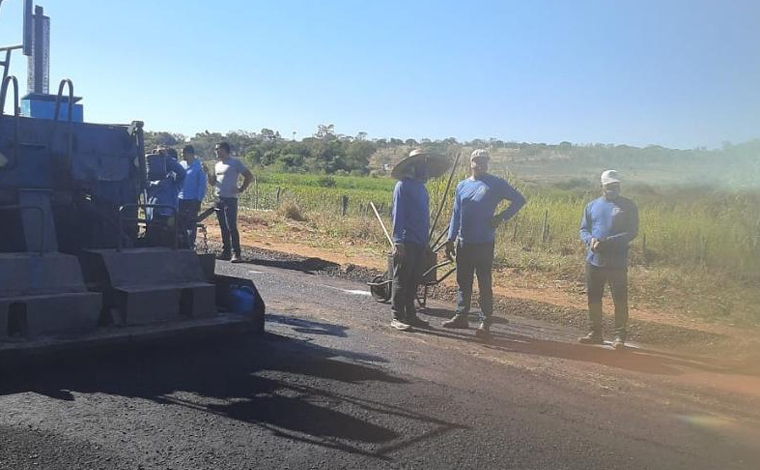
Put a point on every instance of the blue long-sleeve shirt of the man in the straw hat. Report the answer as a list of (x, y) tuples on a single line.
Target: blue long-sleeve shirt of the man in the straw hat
[(411, 212)]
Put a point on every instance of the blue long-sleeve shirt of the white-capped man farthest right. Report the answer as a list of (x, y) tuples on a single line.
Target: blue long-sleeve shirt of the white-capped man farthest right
[(615, 223)]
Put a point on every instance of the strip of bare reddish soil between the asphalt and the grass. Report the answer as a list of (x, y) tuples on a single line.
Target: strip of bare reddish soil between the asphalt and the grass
[(519, 294)]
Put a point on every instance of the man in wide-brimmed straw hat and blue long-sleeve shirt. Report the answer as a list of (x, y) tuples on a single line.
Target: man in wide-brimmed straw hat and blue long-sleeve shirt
[(411, 224)]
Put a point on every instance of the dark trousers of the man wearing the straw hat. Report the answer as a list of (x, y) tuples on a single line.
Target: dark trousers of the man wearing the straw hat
[(407, 276)]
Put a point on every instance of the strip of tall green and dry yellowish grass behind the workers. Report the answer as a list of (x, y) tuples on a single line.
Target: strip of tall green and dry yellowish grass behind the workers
[(702, 245)]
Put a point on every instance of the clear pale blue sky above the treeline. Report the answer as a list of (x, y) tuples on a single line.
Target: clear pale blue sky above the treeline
[(676, 73)]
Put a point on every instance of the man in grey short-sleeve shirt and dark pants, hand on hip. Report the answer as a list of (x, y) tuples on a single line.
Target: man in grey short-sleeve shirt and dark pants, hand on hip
[(227, 172)]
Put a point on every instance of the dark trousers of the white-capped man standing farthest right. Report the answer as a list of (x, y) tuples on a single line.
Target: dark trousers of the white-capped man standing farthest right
[(596, 278)]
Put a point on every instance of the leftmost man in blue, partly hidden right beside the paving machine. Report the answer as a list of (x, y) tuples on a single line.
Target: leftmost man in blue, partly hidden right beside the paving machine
[(163, 190)]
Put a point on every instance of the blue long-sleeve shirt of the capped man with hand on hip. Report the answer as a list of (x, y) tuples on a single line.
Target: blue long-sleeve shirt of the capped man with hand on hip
[(475, 201)]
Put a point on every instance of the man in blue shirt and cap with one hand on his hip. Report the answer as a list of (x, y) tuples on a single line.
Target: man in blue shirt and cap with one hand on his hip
[(473, 225)]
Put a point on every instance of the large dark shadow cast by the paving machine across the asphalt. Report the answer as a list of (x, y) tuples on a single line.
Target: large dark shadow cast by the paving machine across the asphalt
[(292, 388)]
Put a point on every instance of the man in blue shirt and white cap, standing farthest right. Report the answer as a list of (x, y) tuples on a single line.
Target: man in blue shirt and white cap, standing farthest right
[(608, 225)]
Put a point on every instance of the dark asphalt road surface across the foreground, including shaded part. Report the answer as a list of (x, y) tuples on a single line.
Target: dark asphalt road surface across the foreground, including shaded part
[(331, 386)]
